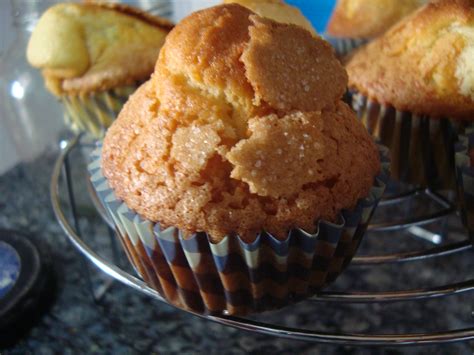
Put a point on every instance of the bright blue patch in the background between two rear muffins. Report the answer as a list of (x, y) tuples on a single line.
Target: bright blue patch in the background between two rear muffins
[(317, 11)]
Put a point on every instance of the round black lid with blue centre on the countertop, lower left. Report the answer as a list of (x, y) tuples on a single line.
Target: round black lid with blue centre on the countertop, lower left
[(26, 284)]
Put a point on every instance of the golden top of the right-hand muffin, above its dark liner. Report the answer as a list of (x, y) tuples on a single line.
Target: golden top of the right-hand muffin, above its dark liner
[(424, 64)]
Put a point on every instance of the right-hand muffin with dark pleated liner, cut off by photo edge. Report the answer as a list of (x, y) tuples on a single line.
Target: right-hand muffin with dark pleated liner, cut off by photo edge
[(414, 89)]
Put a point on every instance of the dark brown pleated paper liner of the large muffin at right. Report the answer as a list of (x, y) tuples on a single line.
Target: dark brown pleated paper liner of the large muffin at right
[(421, 147)]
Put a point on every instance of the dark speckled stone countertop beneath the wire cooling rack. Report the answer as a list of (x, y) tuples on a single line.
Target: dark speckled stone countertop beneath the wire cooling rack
[(127, 322)]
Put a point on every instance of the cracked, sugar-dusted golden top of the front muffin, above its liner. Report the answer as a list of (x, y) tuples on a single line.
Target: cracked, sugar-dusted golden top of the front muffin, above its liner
[(241, 129)]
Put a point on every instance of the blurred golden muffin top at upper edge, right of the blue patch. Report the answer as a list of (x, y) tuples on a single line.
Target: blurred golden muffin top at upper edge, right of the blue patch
[(368, 18)]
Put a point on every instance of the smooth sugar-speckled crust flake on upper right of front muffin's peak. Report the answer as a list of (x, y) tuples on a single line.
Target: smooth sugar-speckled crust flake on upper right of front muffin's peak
[(280, 65)]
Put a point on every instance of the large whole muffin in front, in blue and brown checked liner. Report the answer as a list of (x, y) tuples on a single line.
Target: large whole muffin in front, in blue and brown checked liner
[(237, 178)]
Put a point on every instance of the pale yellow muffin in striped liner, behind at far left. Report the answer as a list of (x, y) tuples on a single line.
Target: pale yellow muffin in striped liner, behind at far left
[(93, 56)]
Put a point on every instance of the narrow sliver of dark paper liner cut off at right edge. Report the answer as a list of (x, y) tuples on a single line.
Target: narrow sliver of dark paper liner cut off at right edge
[(465, 179)]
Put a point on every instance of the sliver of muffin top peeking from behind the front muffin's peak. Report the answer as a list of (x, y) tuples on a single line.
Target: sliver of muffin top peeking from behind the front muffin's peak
[(276, 10)]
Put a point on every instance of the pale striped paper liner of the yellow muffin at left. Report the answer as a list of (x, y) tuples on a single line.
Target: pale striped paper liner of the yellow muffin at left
[(94, 112)]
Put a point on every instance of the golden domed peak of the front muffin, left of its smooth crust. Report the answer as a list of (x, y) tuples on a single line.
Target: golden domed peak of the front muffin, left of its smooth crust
[(202, 58)]
